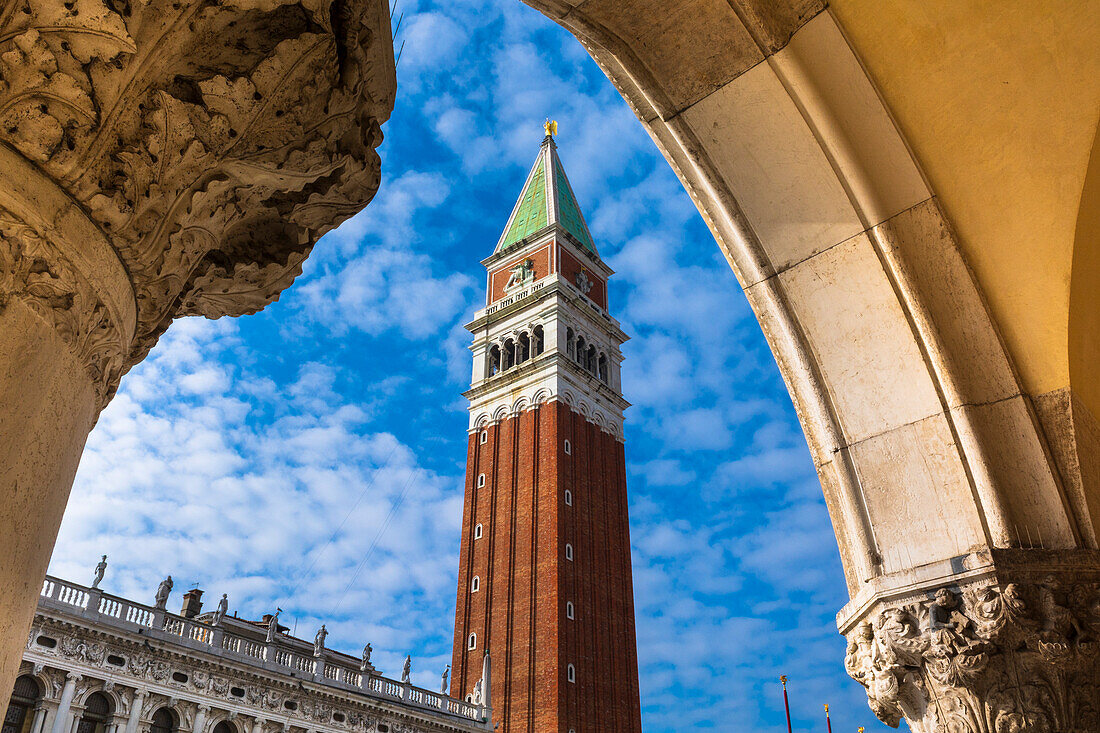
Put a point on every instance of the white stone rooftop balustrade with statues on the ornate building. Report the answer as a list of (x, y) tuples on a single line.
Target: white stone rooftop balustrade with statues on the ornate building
[(332, 669)]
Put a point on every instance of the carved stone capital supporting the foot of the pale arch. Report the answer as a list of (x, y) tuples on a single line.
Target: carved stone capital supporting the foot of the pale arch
[(1014, 651)]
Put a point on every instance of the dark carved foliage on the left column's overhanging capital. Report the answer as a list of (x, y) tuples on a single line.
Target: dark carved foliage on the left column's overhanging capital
[(214, 143)]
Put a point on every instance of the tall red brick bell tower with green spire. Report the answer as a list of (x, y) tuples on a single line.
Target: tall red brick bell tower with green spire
[(545, 583)]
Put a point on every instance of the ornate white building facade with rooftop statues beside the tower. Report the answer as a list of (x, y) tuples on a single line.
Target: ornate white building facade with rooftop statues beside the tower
[(96, 663)]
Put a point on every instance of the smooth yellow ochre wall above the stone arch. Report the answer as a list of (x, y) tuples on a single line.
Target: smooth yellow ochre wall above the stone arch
[(1000, 102)]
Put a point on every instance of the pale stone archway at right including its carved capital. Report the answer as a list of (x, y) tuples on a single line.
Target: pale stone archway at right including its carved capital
[(969, 541)]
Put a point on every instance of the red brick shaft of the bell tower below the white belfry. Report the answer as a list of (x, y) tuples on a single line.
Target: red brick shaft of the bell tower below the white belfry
[(520, 611)]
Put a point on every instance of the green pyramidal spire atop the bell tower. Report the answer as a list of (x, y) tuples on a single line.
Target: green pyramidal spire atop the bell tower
[(547, 199)]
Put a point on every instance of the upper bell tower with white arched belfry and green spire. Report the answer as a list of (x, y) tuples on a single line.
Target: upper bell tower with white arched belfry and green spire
[(545, 333)]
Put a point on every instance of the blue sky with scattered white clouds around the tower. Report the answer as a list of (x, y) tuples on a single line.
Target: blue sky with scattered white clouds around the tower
[(312, 456)]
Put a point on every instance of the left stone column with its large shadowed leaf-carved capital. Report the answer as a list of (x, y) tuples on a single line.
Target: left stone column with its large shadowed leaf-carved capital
[(158, 160)]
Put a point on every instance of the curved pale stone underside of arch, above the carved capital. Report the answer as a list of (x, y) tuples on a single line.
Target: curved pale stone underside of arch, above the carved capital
[(929, 445)]
